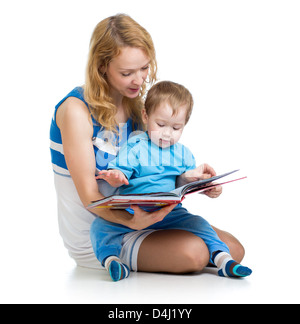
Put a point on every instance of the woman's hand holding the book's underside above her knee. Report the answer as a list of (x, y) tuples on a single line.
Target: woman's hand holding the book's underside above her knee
[(142, 219)]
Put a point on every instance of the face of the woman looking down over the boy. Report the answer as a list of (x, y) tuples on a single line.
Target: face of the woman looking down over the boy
[(127, 72)]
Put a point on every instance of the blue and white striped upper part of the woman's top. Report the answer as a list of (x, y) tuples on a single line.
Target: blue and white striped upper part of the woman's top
[(104, 150)]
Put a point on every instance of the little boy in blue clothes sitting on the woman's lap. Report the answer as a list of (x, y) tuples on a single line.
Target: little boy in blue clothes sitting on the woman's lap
[(151, 162)]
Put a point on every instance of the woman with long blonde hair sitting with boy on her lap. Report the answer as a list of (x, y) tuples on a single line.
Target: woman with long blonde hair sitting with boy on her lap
[(88, 127)]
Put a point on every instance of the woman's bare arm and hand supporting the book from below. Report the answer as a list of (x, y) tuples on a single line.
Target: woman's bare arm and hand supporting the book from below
[(76, 128)]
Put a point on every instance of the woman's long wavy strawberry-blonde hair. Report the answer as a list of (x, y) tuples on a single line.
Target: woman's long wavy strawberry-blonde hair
[(108, 38)]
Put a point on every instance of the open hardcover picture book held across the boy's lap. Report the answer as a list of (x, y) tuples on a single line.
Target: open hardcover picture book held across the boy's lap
[(159, 199)]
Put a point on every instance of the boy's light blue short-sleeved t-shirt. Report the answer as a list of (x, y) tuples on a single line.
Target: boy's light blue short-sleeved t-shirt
[(150, 168)]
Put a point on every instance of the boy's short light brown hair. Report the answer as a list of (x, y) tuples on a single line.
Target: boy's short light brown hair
[(176, 95)]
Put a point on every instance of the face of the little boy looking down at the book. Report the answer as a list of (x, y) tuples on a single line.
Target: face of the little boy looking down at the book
[(163, 127)]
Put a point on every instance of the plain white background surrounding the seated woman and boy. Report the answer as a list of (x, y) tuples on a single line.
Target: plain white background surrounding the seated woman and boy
[(240, 59)]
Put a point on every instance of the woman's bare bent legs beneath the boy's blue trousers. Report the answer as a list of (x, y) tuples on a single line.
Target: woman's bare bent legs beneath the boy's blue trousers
[(177, 251)]
